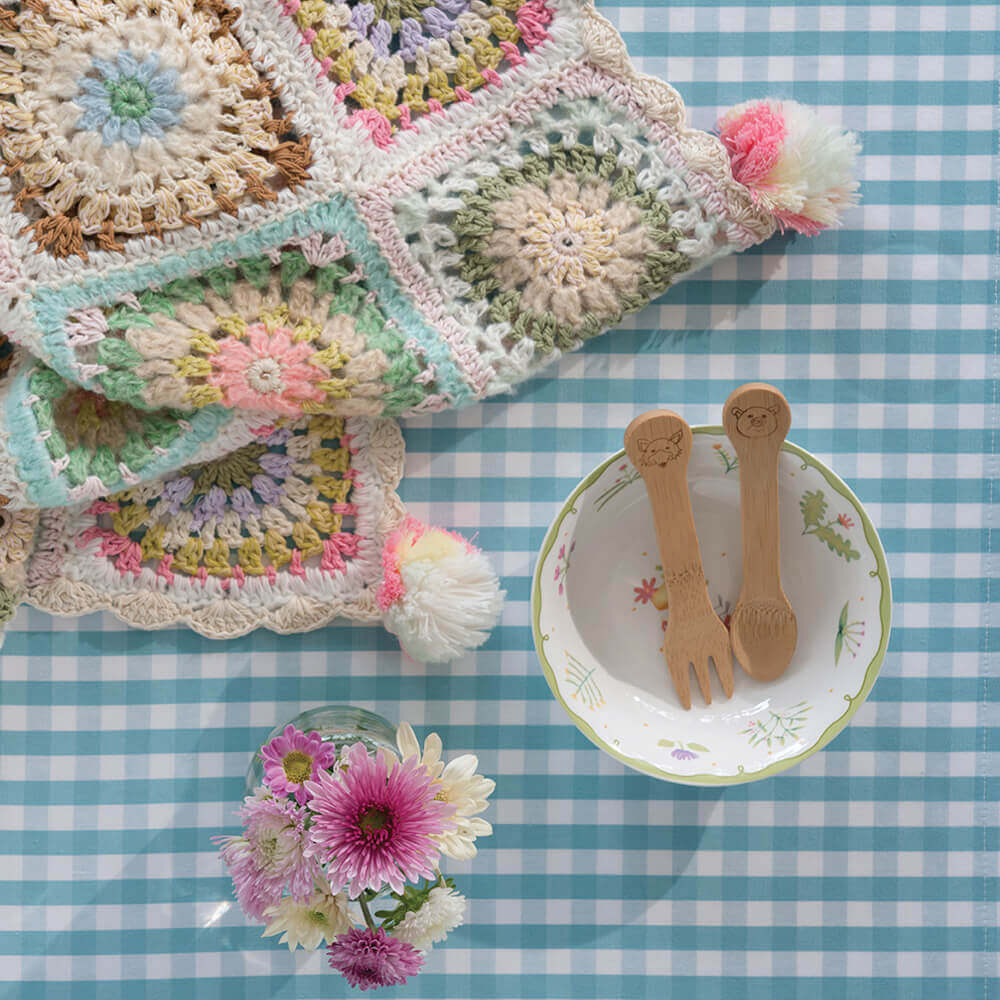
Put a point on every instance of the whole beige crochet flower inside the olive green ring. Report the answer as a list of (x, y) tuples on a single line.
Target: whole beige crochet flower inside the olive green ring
[(570, 250)]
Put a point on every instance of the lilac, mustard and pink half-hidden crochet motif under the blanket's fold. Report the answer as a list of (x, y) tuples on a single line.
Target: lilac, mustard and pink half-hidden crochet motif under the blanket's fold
[(277, 505)]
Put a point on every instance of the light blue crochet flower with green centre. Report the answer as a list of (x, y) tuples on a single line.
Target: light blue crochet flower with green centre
[(128, 99)]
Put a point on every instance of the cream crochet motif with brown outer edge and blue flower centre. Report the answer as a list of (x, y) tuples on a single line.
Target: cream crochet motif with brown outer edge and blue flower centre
[(130, 119)]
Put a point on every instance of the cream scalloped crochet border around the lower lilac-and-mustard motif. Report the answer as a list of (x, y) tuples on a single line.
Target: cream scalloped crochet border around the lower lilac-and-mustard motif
[(88, 582)]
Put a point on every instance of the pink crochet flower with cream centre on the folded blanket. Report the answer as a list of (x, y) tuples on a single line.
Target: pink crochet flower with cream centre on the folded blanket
[(267, 371)]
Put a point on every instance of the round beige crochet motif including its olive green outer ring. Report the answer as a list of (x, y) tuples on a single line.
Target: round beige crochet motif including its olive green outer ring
[(565, 244)]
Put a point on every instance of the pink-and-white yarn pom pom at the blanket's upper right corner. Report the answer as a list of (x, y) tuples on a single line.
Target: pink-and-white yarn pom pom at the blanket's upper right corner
[(797, 167)]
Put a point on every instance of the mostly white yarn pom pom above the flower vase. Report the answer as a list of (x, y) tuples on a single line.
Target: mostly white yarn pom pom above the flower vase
[(439, 594)]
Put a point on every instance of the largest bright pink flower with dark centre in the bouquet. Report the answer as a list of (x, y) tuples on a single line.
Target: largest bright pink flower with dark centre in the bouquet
[(375, 822)]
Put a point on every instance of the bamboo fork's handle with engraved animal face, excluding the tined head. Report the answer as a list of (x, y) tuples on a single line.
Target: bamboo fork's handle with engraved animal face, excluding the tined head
[(659, 446)]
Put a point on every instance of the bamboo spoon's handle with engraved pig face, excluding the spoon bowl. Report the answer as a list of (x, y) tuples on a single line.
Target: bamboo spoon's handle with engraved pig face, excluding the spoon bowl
[(757, 417)]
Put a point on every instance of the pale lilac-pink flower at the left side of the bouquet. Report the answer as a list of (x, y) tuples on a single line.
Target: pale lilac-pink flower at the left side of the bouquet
[(270, 855)]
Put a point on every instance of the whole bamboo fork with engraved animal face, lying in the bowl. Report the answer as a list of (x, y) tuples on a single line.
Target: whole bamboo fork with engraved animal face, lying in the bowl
[(659, 445)]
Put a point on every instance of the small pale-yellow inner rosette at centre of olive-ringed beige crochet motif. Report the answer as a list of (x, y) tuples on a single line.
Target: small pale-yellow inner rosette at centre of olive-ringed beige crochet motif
[(569, 244)]
